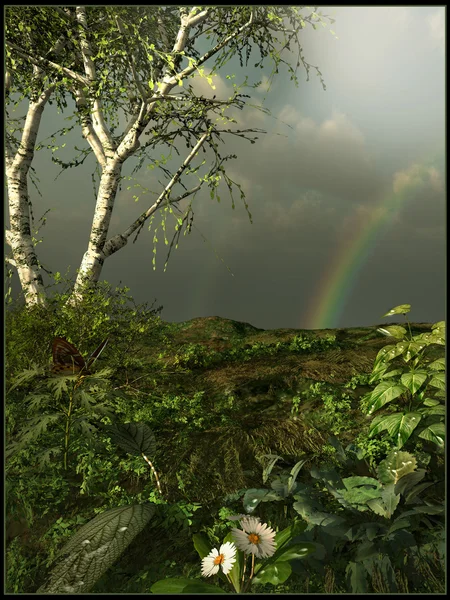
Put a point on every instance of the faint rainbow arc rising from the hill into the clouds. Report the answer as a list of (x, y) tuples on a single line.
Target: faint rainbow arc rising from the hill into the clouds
[(341, 275)]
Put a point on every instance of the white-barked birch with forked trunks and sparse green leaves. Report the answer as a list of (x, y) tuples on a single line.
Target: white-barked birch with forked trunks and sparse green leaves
[(137, 62)]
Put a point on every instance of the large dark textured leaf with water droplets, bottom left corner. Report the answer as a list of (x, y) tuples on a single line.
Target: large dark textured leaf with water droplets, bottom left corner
[(95, 547)]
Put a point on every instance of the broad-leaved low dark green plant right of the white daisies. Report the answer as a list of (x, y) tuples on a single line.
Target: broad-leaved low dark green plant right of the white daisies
[(367, 524)]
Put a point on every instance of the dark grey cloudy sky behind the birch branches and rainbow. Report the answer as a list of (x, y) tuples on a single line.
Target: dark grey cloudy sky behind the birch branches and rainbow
[(347, 190)]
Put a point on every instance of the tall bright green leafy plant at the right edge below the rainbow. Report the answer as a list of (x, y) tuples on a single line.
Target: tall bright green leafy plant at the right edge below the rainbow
[(423, 413)]
